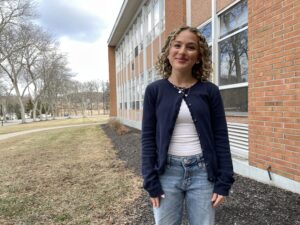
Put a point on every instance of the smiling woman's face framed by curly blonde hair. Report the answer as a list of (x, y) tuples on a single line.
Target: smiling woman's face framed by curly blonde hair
[(183, 52)]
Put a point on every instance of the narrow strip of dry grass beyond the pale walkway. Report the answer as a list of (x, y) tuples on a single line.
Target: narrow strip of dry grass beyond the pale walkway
[(51, 123)]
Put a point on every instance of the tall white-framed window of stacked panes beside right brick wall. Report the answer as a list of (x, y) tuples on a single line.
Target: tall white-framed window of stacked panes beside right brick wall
[(233, 58)]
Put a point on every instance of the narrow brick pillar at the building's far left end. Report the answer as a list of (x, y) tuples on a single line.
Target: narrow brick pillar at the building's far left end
[(112, 81)]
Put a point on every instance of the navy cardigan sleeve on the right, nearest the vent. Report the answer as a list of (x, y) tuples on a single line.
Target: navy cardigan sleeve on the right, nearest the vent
[(224, 178)]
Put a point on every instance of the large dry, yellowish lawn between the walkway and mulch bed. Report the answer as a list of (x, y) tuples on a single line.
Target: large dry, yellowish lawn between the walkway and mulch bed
[(64, 176)]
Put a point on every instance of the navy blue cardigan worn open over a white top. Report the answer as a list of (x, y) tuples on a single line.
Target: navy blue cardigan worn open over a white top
[(162, 102)]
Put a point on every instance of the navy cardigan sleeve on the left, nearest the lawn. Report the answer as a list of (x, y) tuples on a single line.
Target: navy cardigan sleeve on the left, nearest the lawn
[(149, 147)]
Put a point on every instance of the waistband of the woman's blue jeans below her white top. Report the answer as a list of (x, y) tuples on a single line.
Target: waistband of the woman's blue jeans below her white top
[(185, 160)]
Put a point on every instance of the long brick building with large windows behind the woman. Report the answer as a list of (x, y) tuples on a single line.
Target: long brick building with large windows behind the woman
[(256, 59)]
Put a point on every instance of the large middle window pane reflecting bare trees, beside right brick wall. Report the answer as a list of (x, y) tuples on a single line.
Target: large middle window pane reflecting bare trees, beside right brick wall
[(234, 59)]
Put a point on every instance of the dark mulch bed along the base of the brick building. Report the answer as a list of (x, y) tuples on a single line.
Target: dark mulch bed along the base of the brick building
[(250, 202)]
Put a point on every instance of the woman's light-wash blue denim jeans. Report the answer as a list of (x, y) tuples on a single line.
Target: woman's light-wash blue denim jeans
[(185, 181)]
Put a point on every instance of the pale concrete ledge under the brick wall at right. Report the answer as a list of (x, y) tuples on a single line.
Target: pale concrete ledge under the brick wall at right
[(243, 168)]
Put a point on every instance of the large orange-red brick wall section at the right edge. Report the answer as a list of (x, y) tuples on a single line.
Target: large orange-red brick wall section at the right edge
[(274, 86)]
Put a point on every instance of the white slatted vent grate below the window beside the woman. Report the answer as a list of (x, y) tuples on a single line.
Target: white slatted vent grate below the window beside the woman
[(238, 137)]
